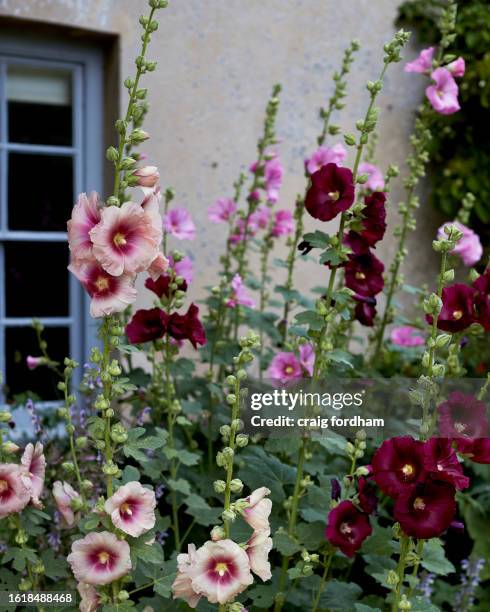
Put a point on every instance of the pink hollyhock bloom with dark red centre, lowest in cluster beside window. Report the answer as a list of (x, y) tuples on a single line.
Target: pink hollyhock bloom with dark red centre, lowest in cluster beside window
[(109, 293)]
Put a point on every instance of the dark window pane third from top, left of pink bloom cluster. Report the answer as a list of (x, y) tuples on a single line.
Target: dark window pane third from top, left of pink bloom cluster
[(36, 279)]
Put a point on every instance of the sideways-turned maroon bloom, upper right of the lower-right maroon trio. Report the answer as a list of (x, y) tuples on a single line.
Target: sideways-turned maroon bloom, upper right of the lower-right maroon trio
[(442, 463)]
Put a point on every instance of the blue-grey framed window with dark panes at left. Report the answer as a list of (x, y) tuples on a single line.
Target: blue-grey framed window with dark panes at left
[(51, 147)]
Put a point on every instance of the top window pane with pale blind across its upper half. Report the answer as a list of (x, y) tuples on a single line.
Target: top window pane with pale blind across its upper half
[(39, 105)]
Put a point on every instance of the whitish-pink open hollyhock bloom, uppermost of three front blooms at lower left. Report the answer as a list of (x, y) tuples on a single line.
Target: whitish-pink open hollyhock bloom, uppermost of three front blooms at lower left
[(132, 509)]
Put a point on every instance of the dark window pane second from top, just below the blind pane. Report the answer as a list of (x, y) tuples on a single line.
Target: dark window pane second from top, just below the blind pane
[(40, 191)]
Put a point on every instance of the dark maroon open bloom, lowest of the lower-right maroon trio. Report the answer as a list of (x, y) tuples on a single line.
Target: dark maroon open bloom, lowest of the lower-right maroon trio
[(427, 510)]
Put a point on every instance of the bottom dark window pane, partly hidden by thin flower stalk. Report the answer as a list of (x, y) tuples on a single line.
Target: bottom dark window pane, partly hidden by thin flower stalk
[(21, 342)]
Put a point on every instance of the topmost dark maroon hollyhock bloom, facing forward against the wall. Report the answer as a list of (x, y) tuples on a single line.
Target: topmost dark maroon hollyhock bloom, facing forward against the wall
[(331, 192)]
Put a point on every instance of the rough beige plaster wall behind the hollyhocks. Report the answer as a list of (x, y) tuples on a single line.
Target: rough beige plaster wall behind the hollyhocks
[(217, 61)]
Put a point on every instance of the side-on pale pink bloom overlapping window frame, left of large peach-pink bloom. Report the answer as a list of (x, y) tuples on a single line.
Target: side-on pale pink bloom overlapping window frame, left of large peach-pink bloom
[(84, 217)]
